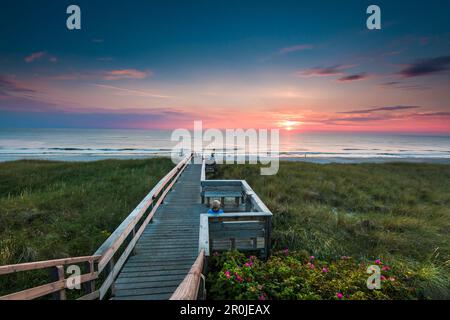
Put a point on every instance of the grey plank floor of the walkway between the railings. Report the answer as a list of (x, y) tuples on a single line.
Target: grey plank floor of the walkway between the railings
[(169, 245)]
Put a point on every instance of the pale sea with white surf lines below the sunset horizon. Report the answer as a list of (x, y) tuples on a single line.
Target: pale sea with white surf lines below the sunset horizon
[(98, 144)]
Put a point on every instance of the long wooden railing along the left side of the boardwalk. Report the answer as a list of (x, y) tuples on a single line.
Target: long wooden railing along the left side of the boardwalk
[(122, 241)]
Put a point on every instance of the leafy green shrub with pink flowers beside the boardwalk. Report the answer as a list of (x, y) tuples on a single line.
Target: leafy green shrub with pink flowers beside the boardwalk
[(288, 275)]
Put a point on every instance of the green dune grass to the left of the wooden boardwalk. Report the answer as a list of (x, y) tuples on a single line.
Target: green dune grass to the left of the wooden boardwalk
[(52, 210)]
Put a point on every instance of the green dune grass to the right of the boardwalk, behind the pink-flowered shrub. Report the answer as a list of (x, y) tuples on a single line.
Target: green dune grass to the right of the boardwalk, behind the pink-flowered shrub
[(396, 211)]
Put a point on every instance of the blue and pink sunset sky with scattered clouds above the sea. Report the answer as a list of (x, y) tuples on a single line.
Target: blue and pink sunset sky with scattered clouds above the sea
[(295, 65)]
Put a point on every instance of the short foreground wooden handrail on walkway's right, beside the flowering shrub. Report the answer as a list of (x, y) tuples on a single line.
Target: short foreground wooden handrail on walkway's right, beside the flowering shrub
[(189, 287)]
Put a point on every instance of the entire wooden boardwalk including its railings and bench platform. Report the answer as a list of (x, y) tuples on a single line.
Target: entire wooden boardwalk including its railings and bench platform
[(159, 250)]
